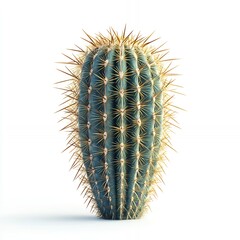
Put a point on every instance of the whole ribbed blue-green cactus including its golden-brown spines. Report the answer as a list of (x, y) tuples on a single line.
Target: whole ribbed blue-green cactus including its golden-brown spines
[(119, 111)]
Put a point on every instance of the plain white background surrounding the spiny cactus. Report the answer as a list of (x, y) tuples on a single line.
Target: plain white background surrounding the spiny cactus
[(200, 199)]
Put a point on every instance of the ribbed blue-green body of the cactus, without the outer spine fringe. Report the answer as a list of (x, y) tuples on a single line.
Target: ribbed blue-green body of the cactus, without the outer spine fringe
[(119, 122)]
